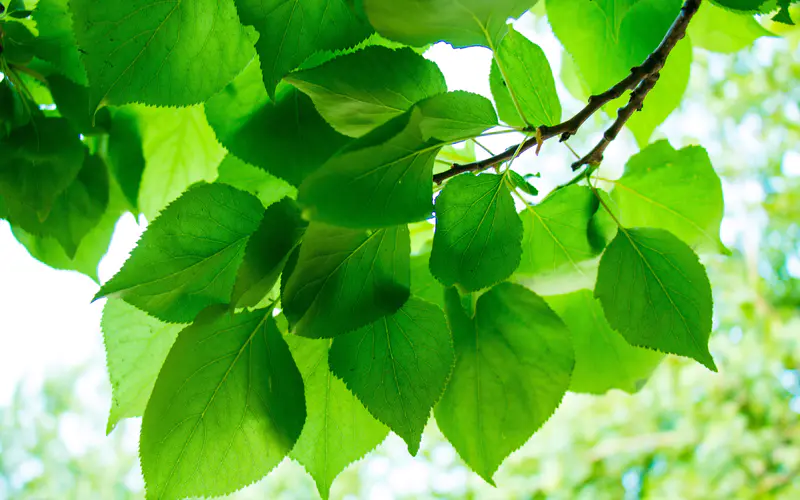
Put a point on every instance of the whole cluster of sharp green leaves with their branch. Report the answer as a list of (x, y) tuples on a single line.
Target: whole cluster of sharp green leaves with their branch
[(324, 262)]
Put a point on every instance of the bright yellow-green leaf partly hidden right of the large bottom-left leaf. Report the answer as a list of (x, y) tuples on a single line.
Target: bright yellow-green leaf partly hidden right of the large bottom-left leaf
[(338, 429)]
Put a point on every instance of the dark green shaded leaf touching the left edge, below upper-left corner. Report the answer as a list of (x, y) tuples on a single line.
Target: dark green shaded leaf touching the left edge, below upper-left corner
[(39, 161)]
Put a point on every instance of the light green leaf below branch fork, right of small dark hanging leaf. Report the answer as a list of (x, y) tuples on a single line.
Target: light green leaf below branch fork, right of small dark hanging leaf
[(556, 231)]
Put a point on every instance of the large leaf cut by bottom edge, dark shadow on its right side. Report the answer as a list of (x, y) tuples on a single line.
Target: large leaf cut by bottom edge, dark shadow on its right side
[(227, 407)]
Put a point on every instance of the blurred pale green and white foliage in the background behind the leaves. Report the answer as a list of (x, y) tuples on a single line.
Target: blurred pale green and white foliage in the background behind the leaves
[(688, 434)]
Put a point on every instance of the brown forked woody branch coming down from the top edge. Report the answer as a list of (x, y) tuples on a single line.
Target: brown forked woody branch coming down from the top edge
[(641, 81)]
